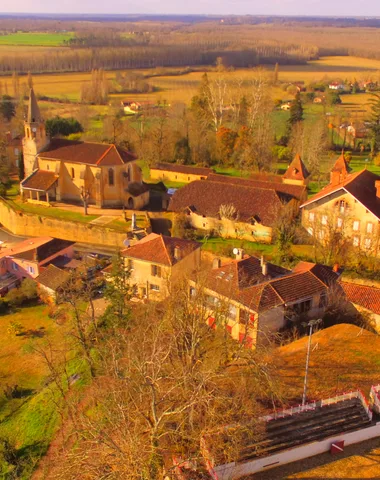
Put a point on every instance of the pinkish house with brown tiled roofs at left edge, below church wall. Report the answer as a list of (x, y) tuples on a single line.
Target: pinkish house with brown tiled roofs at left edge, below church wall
[(27, 259)]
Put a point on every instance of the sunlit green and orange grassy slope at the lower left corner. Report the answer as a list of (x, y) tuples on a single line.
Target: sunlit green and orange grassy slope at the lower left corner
[(30, 422)]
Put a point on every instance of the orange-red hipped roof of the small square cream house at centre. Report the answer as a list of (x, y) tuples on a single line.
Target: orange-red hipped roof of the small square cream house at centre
[(160, 249)]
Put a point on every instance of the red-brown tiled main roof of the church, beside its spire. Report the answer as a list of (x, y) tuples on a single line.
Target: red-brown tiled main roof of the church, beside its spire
[(87, 153)]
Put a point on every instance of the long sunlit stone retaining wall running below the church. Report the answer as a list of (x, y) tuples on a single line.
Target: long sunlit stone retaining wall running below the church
[(32, 225)]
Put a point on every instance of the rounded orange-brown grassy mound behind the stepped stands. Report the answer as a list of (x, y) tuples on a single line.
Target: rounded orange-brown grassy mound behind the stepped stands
[(343, 358)]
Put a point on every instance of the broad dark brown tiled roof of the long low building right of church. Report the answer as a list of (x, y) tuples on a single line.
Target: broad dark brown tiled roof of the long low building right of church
[(205, 197)]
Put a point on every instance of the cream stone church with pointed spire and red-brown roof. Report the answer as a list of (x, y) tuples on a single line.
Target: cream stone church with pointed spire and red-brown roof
[(60, 170)]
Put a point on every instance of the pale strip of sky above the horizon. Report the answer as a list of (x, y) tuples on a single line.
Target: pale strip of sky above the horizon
[(217, 7)]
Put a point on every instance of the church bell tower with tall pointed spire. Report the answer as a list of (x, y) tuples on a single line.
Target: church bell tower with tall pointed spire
[(35, 138)]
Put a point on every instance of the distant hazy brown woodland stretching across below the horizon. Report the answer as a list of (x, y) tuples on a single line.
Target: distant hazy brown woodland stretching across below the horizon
[(114, 42)]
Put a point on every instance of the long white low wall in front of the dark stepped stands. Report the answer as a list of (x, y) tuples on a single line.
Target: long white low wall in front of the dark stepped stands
[(233, 471)]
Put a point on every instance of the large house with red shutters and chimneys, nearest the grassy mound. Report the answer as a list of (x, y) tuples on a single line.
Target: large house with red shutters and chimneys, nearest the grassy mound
[(260, 298)]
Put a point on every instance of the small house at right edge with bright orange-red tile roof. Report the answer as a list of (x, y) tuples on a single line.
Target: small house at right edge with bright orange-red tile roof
[(365, 298)]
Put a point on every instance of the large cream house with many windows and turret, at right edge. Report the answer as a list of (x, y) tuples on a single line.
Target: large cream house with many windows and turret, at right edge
[(351, 202)]
